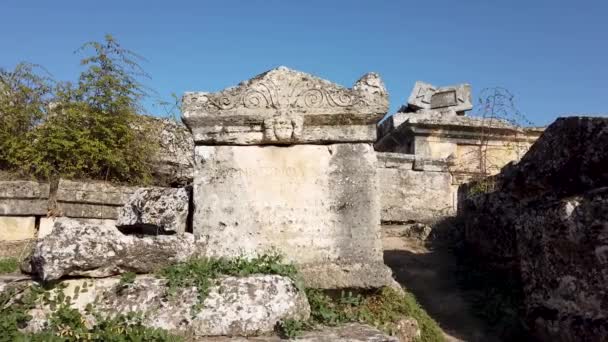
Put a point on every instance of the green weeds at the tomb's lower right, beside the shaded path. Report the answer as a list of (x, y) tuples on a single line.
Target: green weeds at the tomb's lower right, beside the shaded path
[(382, 309)]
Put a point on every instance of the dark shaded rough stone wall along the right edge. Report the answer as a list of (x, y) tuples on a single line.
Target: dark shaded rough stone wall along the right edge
[(546, 220)]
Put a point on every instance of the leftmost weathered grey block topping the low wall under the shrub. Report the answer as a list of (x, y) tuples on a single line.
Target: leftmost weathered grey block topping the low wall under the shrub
[(23, 198)]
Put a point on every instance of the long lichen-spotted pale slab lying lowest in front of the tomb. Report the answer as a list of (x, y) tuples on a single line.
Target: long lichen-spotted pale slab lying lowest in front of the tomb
[(234, 306)]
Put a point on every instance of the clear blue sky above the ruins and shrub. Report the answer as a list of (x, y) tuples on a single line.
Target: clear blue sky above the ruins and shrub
[(553, 55)]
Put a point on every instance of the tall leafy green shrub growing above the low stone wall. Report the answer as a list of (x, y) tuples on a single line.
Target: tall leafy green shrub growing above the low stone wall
[(89, 130)]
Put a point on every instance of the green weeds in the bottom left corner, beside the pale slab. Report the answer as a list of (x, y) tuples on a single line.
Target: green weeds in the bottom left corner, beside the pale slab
[(66, 323)]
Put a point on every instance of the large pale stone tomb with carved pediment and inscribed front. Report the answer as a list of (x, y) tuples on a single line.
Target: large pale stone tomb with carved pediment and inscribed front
[(316, 204)]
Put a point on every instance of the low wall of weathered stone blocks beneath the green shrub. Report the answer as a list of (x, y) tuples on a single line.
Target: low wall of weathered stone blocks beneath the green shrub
[(28, 209)]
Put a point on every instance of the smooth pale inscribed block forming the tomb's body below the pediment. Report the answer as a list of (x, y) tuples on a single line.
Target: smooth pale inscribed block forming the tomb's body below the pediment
[(317, 205)]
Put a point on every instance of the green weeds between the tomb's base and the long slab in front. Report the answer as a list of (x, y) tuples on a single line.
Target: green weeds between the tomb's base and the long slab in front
[(200, 273)]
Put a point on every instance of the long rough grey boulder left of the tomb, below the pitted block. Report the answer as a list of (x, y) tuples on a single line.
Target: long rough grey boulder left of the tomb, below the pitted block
[(78, 249)]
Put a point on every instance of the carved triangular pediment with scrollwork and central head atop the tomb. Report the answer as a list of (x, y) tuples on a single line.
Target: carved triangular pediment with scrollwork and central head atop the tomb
[(284, 106)]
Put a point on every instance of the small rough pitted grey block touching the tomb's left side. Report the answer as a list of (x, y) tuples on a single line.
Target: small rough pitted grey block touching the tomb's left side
[(155, 210)]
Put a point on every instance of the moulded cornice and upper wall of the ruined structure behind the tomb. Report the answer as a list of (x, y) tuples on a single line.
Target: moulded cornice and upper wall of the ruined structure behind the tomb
[(474, 145)]
